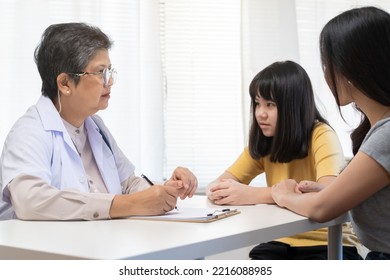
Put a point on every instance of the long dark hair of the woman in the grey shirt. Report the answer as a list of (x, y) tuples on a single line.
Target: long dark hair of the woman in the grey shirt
[(356, 45)]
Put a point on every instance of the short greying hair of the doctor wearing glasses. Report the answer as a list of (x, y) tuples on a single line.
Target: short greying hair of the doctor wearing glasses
[(67, 48)]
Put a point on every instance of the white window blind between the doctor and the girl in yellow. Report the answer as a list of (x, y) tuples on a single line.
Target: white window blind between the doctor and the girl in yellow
[(201, 56)]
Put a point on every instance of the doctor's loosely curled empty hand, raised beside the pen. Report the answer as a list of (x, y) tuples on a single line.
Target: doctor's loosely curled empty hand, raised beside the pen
[(184, 180)]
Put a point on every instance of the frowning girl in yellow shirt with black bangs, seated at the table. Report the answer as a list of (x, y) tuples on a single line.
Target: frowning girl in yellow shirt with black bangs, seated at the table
[(288, 139)]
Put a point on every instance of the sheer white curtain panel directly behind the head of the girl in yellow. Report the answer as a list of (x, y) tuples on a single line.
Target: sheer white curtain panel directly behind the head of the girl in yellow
[(269, 33)]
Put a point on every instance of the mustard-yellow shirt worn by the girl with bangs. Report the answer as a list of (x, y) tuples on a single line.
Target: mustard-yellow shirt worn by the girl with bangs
[(325, 158)]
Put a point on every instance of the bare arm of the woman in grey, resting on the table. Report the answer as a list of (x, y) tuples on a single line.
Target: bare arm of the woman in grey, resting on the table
[(360, 179)]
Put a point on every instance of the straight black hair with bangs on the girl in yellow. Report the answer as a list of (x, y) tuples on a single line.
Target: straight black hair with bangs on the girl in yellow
[(288, 85)]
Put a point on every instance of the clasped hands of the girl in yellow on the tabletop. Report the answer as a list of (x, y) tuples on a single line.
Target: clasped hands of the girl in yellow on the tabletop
[(230, 192)]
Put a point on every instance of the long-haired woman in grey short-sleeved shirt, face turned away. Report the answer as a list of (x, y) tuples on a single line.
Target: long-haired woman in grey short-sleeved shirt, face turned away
[(355, 53)]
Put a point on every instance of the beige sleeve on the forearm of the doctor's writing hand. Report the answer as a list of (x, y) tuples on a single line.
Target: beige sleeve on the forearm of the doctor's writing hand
[(34, 199)]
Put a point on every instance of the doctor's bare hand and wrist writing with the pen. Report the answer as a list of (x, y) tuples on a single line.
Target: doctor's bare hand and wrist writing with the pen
[(155, 200)]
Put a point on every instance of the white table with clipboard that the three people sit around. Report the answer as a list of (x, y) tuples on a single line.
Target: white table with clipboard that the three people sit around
[(141, 239)]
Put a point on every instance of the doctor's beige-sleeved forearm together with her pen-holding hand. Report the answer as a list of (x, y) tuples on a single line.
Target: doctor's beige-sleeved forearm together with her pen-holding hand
[(33, 199)]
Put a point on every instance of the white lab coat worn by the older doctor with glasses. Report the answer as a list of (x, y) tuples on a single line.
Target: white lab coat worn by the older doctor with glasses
[(39, 145)]
